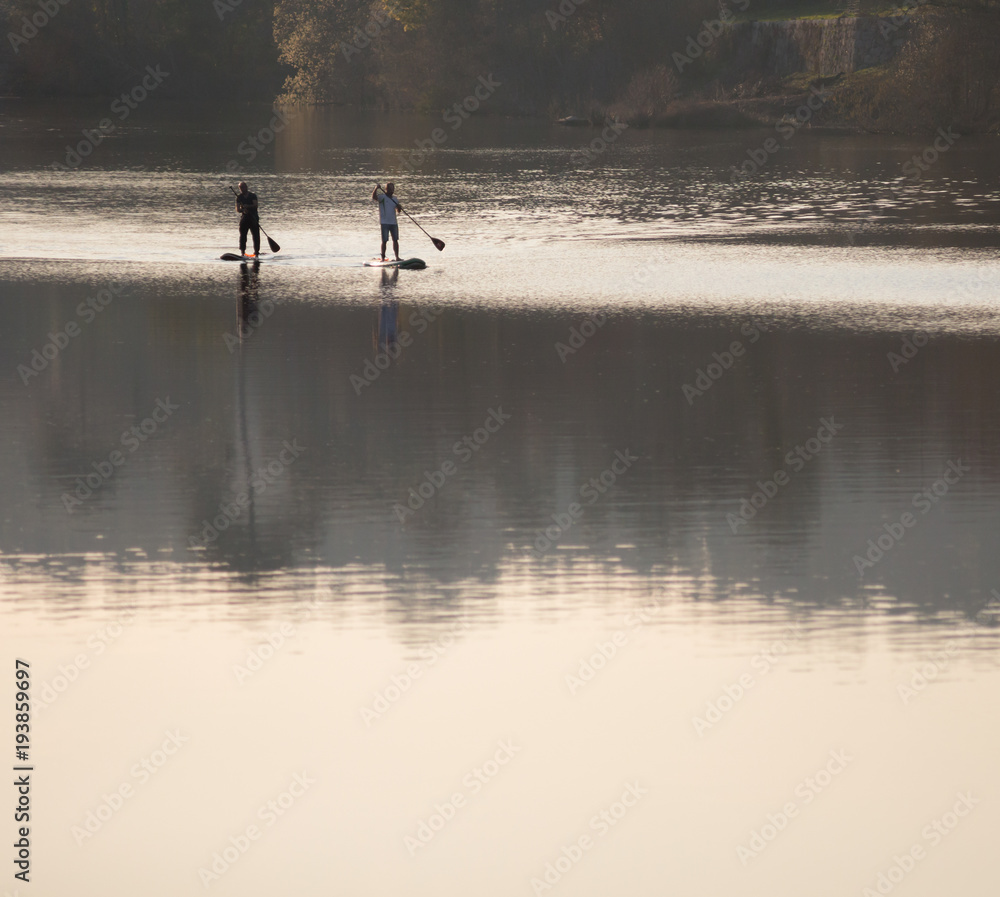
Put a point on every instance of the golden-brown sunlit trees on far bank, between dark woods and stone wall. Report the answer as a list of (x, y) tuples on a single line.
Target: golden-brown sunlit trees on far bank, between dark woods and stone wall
[(550, 55)]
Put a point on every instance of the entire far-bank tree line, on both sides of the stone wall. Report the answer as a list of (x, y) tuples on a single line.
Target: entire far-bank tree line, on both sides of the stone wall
[(603, 59)]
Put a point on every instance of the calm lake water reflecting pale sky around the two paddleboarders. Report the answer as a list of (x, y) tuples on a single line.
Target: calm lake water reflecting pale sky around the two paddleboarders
[(657, 494)]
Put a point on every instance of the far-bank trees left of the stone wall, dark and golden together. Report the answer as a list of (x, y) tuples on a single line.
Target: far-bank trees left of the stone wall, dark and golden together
[(412, 54)]
